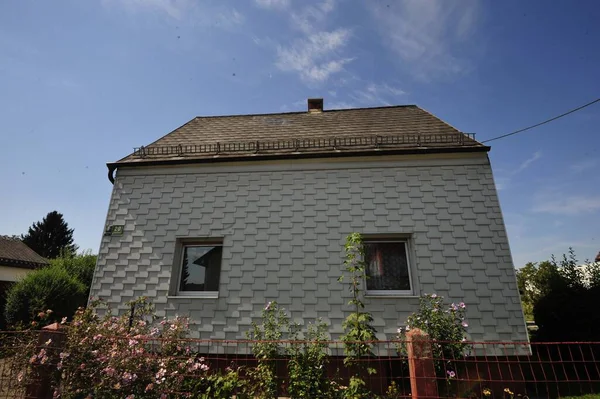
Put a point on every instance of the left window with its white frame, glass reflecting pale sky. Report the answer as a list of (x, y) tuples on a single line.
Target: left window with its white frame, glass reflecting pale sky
[(200, 269)]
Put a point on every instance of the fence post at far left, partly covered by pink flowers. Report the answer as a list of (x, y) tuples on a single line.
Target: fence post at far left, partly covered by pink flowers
[(41, 387)]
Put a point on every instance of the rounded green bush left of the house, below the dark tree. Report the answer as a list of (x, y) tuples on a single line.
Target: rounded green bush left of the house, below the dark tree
[(49, 288)]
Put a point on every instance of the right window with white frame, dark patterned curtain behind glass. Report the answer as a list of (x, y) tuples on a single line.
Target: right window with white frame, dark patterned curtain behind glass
[(387, 267)]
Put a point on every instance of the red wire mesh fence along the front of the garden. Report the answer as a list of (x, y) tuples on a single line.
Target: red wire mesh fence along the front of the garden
[(489, 370)]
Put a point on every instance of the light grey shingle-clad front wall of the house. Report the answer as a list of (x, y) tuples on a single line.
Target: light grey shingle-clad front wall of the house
[(283, 224)]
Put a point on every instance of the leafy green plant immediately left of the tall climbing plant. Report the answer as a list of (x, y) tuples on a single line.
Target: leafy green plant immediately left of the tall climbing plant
[(307, 367)]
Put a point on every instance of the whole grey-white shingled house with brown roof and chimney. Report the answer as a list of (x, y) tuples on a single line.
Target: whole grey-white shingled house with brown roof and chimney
[(226, 213)]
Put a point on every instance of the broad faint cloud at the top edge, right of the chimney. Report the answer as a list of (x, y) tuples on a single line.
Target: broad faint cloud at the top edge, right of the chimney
[(425, 34)]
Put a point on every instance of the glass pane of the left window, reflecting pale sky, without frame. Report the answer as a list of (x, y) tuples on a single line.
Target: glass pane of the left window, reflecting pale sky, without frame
[(201, 268)]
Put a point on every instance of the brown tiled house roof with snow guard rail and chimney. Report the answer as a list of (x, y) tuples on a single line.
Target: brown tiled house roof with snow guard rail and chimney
[(316, 133)]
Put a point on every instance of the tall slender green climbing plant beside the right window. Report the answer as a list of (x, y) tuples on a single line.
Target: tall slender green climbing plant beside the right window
[(360, 335)]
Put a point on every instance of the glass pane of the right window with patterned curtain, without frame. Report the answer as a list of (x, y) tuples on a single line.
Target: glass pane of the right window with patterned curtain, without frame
[(387, 266)]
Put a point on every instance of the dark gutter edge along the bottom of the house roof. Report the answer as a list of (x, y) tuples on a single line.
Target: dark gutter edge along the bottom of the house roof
[(112, 166)]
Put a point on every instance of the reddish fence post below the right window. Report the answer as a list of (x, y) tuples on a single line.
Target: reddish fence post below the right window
[(423, 382)]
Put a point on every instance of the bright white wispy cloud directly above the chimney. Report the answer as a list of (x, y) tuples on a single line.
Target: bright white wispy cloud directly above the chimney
[(315, 57)]
